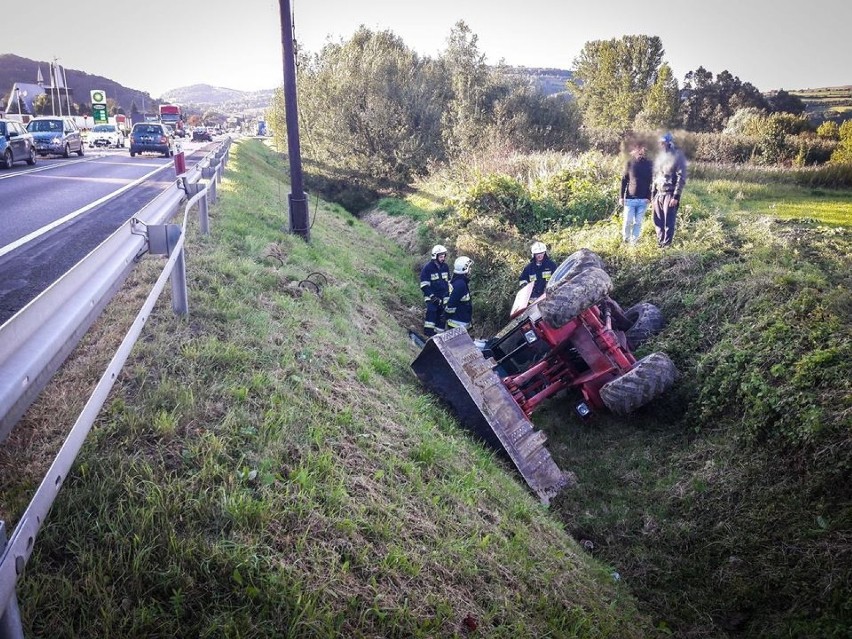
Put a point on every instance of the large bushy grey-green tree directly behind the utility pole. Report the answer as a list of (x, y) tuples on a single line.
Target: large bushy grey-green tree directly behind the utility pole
[(369, 105)]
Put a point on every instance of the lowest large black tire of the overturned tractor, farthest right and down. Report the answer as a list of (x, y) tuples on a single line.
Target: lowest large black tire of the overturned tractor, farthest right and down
[(649, 378)]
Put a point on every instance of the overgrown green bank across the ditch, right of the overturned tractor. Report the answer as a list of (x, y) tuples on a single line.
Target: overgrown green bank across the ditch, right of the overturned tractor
[(725, 504)]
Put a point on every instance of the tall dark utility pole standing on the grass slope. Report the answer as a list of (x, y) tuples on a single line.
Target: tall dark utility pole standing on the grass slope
[(297, 200)]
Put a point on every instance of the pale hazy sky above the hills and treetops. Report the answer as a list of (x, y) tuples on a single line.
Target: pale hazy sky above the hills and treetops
[(236, 44)]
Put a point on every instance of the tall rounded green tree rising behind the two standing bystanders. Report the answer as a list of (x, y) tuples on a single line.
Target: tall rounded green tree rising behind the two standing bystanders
[(612, 78)]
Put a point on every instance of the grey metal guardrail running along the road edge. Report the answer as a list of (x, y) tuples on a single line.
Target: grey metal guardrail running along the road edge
[(37, 339)]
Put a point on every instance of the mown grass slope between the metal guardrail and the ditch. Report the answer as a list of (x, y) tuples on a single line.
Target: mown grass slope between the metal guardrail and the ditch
[(269, 466)]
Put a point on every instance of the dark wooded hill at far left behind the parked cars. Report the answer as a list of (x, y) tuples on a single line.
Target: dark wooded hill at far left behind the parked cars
[(14, 68)]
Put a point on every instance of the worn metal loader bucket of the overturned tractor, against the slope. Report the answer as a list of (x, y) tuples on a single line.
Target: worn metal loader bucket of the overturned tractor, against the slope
[(453, 368)]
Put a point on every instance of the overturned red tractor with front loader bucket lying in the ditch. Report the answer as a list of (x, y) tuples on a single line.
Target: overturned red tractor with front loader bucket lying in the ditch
[(574, 336)]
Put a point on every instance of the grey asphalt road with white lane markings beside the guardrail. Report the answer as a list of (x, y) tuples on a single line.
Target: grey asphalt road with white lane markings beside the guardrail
[(54, 213)]
